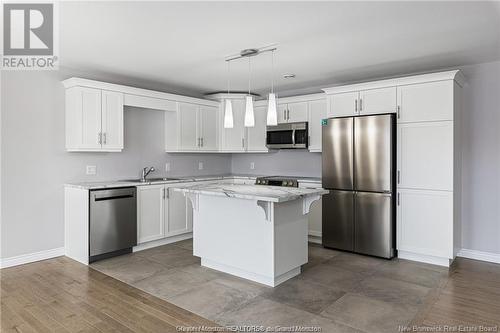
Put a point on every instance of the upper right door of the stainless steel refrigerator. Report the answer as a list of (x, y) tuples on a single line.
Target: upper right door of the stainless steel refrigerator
[(373, 151)]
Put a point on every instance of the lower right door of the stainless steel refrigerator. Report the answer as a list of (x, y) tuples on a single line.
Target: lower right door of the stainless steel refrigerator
[(374, 232)]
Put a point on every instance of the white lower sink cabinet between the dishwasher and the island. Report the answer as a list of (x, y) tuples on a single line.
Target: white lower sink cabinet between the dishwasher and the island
[(162, 212)]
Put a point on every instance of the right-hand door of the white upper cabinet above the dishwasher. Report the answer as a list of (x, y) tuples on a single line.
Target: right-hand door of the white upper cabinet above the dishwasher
[(112, 120)]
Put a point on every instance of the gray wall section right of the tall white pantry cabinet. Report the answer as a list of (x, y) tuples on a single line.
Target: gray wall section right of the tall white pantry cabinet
[(481, 158)]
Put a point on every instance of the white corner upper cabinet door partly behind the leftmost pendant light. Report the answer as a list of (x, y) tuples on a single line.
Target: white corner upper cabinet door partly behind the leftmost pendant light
[(233, 138)]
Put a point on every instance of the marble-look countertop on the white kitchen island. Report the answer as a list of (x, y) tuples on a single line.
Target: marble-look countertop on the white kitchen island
[(251, 192)]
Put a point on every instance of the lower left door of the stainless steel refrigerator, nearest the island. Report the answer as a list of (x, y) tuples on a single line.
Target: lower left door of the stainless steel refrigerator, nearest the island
[(338, 220)]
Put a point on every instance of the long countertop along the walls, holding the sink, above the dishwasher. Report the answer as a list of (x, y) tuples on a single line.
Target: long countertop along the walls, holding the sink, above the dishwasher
[(125, 183)]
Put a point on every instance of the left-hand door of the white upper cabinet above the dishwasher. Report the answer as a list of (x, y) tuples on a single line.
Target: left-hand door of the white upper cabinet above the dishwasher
[(90, 118)]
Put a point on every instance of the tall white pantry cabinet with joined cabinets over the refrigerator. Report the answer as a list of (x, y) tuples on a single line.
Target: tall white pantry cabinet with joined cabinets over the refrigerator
[(428, 167)]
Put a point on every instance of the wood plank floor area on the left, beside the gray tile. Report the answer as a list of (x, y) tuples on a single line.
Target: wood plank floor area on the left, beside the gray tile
[(61, 295)]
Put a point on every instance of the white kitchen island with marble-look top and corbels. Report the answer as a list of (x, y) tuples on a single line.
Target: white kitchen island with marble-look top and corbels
[(252, 231)]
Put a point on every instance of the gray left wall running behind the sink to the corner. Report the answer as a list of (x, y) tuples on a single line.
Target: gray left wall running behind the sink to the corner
[(35, 165)]
